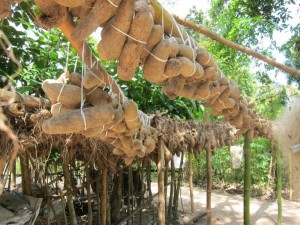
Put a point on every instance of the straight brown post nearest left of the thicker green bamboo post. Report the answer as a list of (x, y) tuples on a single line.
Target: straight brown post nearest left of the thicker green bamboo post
[(209, 184)]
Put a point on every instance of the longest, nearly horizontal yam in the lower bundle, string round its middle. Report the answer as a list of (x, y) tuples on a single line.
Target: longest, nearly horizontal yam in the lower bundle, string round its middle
[(73, 121)]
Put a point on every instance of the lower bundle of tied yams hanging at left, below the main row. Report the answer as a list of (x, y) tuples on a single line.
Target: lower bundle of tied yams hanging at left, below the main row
[(102, 116)]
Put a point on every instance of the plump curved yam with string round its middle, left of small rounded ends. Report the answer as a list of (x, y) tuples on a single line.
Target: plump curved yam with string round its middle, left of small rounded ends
[(155, 65)]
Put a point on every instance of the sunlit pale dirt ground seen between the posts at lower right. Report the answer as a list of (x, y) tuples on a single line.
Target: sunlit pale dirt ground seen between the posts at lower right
[(228, 208)]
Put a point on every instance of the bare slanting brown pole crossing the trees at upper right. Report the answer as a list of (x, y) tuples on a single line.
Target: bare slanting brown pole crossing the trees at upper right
[(203, 30)]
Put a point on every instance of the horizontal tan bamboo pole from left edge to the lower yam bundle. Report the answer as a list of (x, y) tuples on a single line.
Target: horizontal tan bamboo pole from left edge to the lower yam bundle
[(29, 101)]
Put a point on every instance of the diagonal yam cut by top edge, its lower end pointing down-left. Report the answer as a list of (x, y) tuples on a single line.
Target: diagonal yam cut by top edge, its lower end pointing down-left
[(101, 12)]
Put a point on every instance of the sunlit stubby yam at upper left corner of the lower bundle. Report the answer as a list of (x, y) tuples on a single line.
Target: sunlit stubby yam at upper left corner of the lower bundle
[(66, 94)]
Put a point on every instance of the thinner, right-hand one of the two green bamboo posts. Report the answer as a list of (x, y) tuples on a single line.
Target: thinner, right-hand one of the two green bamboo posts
[(279, 184)]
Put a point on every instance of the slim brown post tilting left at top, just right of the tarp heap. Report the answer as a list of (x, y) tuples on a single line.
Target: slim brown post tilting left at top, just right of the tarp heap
[(68, 187)]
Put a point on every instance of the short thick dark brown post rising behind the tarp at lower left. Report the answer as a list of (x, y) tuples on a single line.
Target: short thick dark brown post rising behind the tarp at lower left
[(26, 174)]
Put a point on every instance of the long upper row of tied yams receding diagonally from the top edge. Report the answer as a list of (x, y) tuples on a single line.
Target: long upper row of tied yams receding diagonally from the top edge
[(179, 66)]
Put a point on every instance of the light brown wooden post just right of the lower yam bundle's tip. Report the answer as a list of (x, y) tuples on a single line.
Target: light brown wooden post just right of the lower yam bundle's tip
[(161, 188)]
